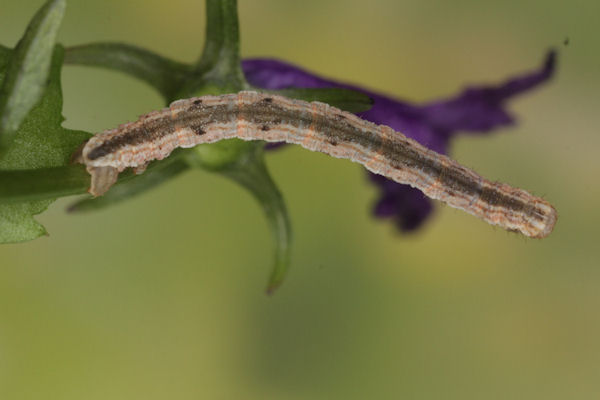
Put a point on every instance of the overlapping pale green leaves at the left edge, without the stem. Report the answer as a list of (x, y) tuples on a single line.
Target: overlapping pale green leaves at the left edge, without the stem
[(31, 136)]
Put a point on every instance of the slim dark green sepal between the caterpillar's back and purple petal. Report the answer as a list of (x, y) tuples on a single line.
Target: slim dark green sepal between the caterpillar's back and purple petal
[(344, 99)]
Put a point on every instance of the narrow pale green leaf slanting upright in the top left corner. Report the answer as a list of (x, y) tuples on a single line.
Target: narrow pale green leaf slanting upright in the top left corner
[(28, 69)]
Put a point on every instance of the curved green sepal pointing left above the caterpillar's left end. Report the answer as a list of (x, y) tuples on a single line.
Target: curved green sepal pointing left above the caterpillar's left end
[(164, 75)]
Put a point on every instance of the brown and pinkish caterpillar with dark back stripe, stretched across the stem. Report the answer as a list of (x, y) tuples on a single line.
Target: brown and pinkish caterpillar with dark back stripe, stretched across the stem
[(318, 127)]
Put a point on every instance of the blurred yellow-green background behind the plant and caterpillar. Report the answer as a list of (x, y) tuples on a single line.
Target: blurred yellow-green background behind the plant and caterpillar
[(162, 297)]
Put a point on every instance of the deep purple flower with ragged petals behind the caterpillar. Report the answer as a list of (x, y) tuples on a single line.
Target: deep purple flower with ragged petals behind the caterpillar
[(475, 110)]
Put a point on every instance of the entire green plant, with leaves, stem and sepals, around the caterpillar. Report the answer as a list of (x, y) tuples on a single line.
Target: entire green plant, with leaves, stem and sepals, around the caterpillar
[(35, 168)]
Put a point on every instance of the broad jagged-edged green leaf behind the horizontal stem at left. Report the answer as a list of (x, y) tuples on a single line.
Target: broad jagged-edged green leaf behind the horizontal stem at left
[(39, 143)]
